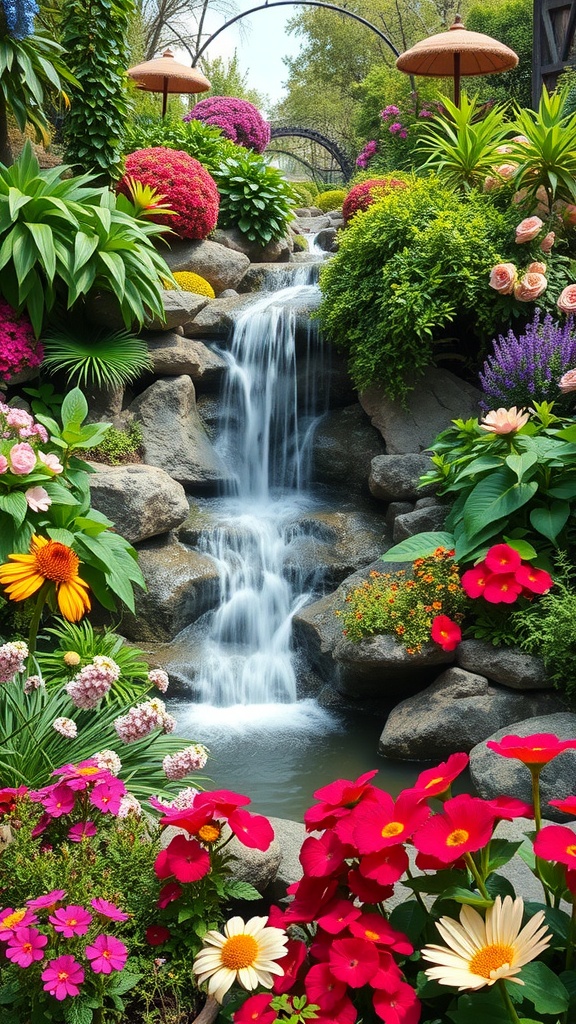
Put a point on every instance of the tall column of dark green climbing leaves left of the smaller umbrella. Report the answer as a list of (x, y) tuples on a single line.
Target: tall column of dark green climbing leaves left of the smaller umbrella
[(95, 35)]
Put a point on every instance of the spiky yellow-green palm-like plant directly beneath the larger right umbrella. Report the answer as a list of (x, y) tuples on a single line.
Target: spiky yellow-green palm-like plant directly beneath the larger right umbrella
[(463, 145)]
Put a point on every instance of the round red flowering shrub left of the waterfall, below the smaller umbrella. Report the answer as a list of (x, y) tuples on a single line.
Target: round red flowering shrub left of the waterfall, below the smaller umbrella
[(183, 183)]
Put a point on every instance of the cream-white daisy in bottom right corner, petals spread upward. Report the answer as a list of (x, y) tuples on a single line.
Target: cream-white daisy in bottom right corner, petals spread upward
[(482, 952)]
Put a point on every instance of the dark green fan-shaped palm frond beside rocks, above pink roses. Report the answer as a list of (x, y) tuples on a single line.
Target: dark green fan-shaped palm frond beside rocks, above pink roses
[(93, 357)]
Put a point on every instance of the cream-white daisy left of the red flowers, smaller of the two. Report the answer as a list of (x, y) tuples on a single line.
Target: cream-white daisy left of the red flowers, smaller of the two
[(246, 953)]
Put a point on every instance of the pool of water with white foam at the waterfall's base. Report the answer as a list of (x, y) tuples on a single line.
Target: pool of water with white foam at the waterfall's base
[(279, 754)]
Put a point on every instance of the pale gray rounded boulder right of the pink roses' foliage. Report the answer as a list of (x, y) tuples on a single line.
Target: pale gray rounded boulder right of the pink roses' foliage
[(142, 501)]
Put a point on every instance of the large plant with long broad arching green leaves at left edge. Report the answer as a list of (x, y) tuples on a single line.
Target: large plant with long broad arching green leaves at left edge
[(63, 238)]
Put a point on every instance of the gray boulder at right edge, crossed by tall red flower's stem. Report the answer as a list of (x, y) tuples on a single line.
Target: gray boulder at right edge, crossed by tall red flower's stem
[(496, 776)]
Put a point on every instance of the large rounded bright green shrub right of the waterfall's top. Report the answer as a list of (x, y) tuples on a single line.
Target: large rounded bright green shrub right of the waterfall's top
[(414, 264)]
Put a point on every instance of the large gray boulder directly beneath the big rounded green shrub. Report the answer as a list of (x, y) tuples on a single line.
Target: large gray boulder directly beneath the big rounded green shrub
[(438, 399)]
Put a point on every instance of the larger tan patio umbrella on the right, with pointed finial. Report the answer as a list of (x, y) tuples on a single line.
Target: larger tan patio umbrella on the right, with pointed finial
[(458, 53)]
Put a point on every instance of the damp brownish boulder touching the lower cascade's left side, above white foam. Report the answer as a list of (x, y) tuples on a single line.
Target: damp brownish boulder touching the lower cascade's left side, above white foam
[(183, 585)]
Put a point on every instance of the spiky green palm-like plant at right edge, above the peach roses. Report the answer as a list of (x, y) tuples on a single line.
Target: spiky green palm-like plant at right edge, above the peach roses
[(547, 158)]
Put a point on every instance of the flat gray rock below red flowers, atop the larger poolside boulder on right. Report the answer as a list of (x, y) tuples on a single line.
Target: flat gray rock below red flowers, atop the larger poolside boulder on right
[(508, 666)]
